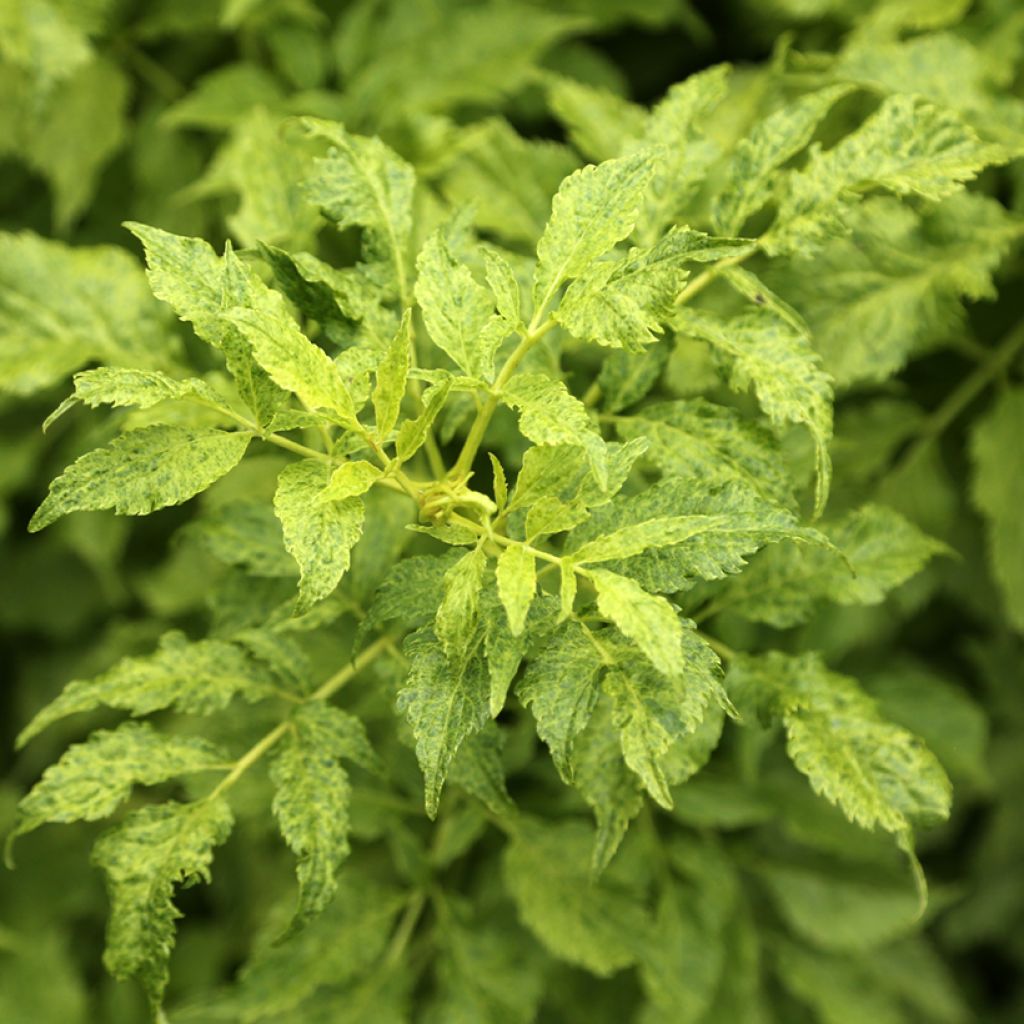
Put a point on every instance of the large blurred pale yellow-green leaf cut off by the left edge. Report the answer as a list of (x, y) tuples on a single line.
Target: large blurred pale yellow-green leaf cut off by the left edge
[(51, 324)]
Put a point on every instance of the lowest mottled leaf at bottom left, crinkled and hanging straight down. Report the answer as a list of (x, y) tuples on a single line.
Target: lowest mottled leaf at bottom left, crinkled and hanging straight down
[(145, 858)]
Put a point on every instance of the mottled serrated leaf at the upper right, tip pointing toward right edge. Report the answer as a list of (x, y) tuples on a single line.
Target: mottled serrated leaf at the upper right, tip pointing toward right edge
[(908, 147)]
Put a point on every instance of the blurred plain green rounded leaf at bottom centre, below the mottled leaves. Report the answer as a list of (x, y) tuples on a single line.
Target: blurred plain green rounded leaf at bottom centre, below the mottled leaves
[(592, 926)]
